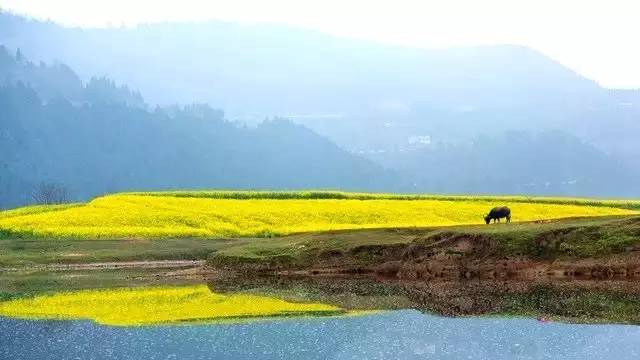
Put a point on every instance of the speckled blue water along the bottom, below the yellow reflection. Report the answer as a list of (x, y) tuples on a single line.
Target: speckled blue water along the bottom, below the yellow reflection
[(403, 334)]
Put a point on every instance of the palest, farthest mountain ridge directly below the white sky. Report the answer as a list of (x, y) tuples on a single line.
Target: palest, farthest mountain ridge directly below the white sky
[(363, 95)]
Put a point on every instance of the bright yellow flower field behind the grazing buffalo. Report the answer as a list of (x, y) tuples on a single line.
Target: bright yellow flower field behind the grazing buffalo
[(143, 216)]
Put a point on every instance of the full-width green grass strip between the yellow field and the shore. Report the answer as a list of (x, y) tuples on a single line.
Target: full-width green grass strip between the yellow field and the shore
[(564, 238)]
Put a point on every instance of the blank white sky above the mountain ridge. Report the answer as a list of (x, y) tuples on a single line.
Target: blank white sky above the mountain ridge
[(598, 38)]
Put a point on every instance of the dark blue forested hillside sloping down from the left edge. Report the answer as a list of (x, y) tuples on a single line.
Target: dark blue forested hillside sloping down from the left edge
[(89, 142)]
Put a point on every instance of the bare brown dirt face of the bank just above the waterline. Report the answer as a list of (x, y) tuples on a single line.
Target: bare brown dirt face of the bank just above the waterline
[(467, 257)]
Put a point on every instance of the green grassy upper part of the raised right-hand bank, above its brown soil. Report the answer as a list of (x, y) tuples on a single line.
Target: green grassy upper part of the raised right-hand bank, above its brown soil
[(557, 239)]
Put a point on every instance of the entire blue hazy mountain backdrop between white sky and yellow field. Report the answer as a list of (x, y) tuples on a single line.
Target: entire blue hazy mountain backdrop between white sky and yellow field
[(360, 116)]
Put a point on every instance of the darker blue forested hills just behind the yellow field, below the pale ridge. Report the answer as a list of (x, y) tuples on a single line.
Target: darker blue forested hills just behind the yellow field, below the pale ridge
[(88, 138)]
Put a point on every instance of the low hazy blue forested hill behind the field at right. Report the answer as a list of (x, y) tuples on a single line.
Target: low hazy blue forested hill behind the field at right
[(524, 162)]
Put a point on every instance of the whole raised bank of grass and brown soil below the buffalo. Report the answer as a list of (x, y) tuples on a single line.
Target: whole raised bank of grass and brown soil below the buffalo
[(585, 248)]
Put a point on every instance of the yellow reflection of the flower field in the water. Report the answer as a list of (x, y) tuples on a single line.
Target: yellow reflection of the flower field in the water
[(147, 306)]
